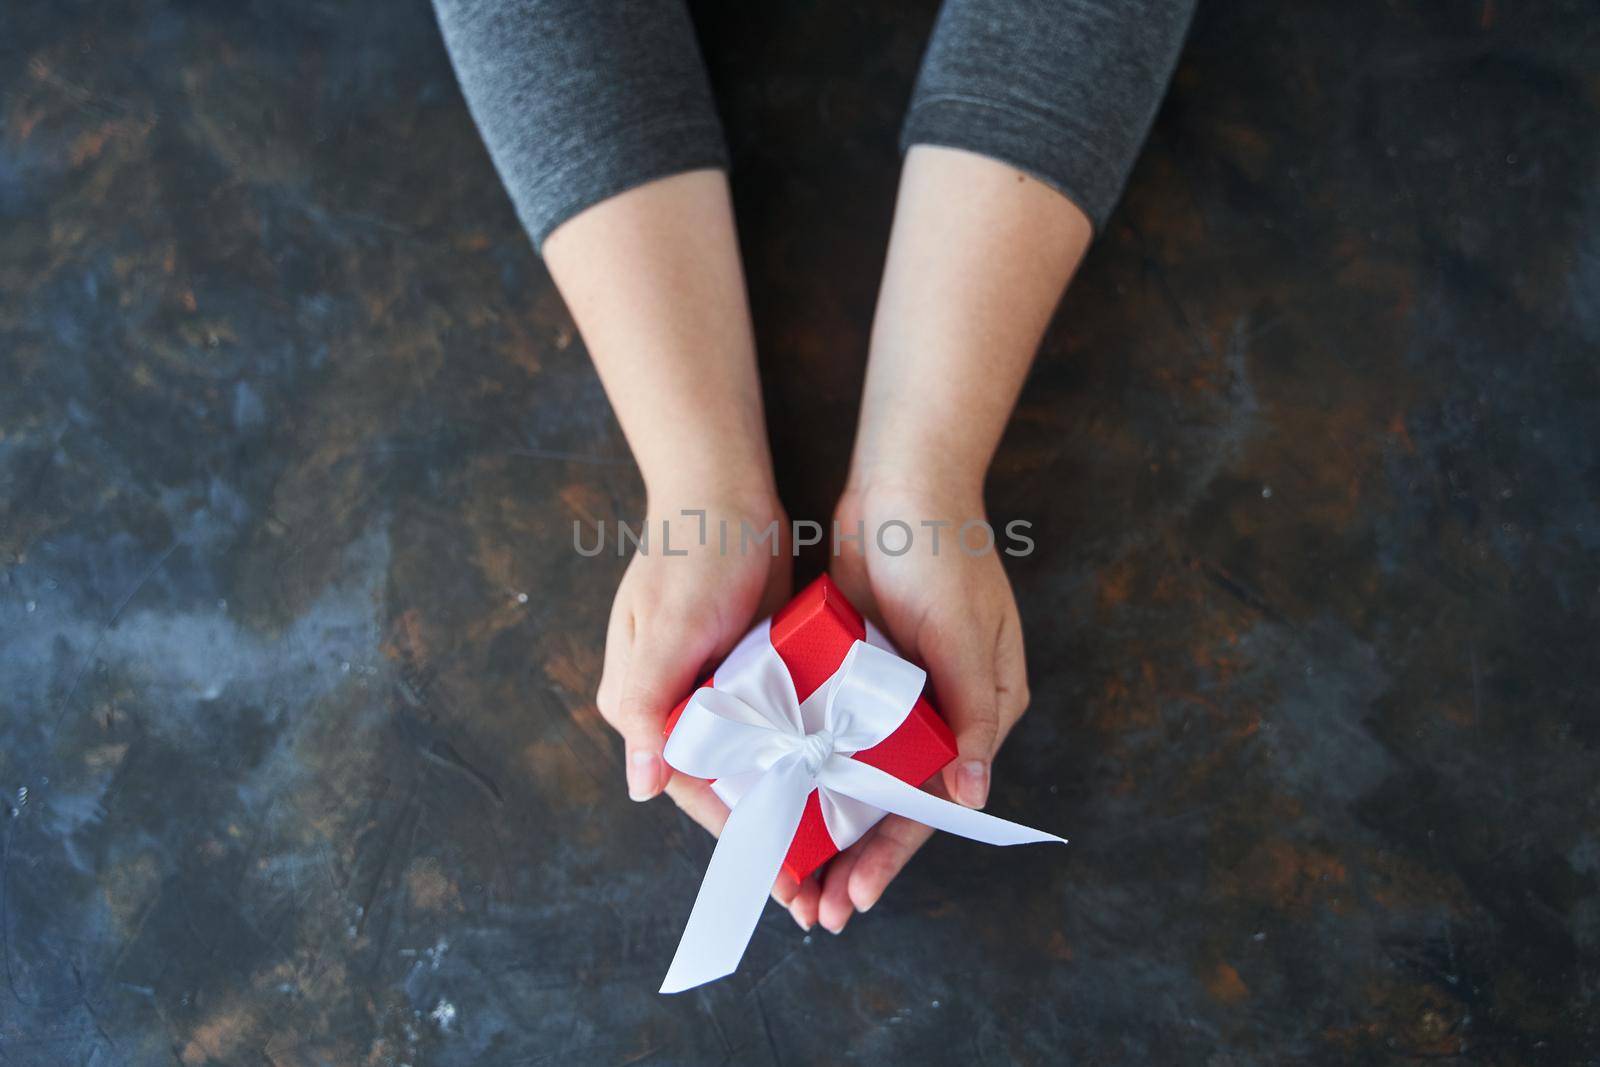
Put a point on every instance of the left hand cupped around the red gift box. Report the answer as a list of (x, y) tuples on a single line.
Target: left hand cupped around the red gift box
[(676, 617)]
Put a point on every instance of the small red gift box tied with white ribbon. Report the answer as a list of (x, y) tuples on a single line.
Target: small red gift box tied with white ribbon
[(812, 634)]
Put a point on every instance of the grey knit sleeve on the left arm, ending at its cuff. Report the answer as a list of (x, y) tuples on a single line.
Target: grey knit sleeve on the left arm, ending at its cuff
[(582, 100)]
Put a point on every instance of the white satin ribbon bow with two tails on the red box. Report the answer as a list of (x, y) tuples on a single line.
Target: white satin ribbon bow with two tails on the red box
[(767, 753)]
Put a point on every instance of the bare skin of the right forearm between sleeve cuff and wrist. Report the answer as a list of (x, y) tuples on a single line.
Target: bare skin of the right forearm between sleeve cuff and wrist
[(978, 258)]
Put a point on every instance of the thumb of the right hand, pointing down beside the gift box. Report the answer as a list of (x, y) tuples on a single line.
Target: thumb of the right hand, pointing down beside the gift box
[(961, 661)]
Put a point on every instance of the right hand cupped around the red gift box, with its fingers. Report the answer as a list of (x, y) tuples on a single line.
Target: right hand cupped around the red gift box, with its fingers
[(956, 615)]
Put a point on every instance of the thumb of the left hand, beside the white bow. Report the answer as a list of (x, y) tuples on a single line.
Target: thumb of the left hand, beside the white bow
[(660, 671)]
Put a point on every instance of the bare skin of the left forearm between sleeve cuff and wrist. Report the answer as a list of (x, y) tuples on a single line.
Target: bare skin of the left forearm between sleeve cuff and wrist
[(654, 282)]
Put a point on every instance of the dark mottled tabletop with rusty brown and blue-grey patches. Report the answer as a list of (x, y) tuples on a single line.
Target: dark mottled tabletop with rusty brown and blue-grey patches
[(297, 663)]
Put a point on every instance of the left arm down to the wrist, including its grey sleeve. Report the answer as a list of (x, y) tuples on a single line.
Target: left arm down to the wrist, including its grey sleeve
[(601, 122)]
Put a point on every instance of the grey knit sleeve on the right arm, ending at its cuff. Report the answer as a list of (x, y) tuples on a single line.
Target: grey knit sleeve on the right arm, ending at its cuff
[(1065, 90)]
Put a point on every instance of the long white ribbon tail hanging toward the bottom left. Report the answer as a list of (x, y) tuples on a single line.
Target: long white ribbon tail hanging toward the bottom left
[(740, 877)]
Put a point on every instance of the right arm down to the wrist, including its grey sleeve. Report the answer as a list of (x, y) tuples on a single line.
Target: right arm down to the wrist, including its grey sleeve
[(1039, 108)]
